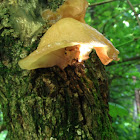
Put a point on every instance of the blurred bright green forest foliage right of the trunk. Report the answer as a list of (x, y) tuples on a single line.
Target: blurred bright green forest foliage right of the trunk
[(116, 20)]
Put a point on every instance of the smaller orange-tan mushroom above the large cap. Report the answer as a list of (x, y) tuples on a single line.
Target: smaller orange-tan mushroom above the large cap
[(71, 8)]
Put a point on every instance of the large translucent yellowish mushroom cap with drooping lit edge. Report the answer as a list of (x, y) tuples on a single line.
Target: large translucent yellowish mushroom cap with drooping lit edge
[(66, 40)]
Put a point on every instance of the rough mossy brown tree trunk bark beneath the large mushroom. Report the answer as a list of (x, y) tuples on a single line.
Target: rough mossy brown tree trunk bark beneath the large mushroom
[(49, 103)]
